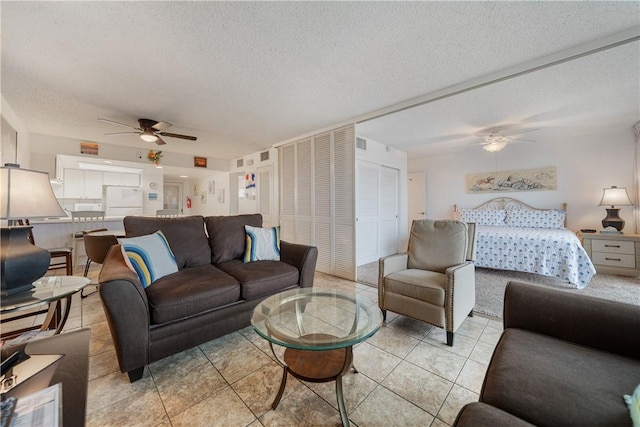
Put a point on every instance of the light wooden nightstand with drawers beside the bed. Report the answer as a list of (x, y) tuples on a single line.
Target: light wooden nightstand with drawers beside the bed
[(613, 253)]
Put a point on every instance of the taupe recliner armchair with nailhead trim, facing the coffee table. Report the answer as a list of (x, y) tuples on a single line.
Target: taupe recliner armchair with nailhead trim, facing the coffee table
[(434, 281)]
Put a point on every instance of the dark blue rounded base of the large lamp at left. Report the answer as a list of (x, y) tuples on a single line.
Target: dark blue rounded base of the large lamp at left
[(21, 263)]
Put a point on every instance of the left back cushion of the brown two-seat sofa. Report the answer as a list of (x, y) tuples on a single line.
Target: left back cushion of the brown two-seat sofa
[(186, 236)]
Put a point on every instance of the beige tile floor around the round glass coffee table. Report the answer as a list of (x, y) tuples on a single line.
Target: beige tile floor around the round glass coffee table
[(407, 376)]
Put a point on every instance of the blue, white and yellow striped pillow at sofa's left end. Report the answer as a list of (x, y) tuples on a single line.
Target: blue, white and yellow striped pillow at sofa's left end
[(149, 256)]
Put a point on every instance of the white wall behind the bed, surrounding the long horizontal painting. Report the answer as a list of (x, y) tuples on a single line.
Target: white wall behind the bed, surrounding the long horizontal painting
[(586, 163)]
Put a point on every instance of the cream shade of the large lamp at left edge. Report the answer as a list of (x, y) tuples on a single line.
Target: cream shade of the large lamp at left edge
[(26, 193)]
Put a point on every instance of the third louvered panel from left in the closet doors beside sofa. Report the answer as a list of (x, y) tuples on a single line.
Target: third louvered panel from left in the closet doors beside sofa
[(322, 201)]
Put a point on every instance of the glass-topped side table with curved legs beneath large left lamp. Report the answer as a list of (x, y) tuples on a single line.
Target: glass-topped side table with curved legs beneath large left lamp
[(48, 296)]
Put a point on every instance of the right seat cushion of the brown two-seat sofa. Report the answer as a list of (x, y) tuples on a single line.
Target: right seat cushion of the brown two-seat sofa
[(261, 278)]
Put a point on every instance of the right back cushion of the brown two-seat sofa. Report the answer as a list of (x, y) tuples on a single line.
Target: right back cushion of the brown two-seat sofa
[(227, 236)]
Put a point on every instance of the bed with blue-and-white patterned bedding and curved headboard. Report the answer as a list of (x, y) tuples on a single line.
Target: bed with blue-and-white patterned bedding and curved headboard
[(511, 235)]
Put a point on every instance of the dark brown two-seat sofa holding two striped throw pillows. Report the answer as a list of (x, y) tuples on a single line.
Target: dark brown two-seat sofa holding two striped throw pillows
[(212, 294)]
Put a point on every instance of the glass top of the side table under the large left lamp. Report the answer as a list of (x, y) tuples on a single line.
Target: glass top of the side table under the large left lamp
[(47, 289)]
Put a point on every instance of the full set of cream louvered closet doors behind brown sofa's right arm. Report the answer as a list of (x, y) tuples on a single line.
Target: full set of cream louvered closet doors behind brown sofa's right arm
[(317, 197)]
